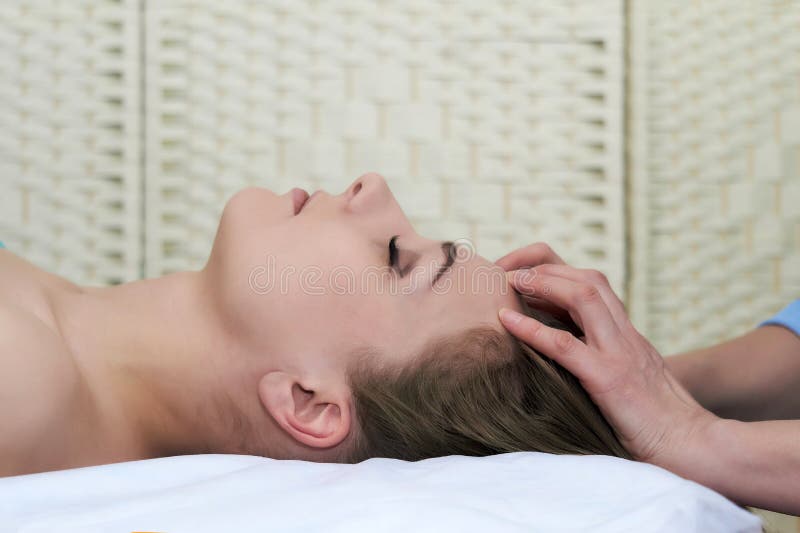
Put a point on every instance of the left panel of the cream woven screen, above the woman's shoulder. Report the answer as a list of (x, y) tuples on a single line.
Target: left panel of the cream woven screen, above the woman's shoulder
[(69, 137)]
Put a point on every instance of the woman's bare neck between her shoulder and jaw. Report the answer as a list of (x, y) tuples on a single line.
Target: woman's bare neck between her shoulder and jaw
[(158, 364)]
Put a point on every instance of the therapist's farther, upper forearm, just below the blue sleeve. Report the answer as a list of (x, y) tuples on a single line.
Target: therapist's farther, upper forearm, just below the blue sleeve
[(752, 377)]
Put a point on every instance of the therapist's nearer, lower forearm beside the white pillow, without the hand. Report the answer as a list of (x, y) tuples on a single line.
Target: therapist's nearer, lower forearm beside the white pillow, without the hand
[(751, 463)]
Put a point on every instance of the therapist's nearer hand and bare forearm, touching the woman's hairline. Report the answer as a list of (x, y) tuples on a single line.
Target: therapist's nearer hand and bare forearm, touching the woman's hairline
[(752, 463)]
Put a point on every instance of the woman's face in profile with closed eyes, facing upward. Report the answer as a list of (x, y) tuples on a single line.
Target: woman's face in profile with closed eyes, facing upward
[(311, 287)]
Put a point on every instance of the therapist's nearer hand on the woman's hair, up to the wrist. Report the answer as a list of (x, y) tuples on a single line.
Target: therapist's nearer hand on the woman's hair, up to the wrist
[(654, 416)]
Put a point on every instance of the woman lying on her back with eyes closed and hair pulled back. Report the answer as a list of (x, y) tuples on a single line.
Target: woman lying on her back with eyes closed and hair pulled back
[(321, 328)]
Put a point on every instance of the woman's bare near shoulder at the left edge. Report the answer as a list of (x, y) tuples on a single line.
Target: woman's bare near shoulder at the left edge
[(39, 382)]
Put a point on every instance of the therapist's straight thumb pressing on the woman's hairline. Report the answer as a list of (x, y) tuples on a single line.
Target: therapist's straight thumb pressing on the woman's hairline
[(559, 345)]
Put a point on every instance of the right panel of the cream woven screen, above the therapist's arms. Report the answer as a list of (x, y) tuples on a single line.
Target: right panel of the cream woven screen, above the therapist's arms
[(715, 152)]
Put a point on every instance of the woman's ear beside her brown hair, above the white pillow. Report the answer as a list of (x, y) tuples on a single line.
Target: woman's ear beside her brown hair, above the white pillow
[(318, 418)]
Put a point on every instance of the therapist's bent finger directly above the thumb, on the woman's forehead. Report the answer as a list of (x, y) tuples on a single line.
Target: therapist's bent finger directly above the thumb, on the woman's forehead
[(582, 300)]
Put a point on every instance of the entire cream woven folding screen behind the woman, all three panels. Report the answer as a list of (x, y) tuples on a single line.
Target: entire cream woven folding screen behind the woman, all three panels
[(127, 124)]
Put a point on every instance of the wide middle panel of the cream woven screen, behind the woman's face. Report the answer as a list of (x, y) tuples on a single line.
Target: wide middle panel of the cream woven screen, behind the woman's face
[(496, 121)]
